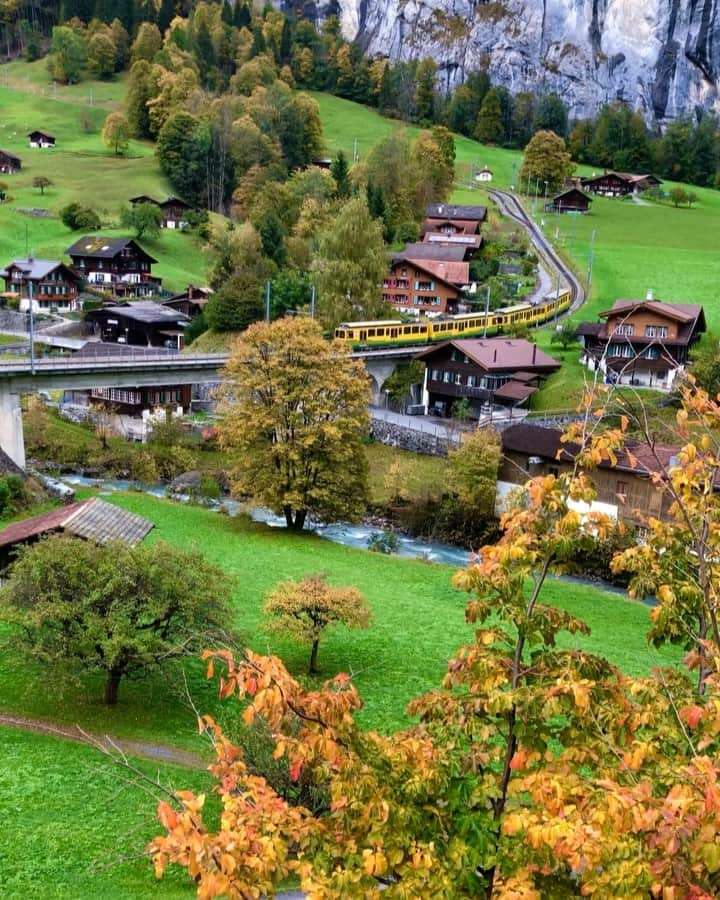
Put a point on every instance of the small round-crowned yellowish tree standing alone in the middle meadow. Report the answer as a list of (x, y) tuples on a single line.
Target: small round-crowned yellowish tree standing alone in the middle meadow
[(305, 609)]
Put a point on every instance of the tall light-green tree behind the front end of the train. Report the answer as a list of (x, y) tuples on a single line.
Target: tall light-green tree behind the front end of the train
[(349, 266)]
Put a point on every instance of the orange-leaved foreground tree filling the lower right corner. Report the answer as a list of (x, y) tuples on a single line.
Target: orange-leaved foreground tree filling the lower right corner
[(559, 775)]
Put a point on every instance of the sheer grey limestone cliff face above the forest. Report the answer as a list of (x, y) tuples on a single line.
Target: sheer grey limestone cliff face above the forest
[(660, 56)]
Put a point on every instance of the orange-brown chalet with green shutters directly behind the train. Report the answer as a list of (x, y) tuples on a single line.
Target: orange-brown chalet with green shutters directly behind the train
[(414, 286)]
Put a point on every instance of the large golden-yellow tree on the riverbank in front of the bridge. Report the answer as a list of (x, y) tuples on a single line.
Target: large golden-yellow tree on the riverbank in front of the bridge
[(295, 410)]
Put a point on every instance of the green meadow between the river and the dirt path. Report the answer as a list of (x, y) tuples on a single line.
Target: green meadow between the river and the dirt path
[(418, 625)]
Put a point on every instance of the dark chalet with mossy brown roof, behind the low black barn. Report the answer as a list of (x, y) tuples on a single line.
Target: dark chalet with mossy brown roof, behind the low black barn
[(117, 265)]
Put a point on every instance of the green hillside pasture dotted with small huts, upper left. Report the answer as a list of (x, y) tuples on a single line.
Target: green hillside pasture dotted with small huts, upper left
[(81, 170)]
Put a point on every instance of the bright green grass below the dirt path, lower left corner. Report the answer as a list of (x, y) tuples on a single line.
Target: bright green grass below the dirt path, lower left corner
[(69, 817)]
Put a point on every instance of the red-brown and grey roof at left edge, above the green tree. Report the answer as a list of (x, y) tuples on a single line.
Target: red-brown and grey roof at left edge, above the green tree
[(92, 519)]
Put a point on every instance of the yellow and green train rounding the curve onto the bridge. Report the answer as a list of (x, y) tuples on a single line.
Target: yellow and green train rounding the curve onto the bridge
[(390, 332)]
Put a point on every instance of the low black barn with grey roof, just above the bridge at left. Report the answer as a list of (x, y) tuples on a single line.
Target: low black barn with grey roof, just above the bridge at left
[(142, 323)]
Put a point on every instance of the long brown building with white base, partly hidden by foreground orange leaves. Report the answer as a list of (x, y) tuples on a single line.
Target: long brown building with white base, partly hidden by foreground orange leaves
[(626, 490)]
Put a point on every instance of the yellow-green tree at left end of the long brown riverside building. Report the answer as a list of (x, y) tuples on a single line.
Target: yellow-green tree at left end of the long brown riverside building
[(473, 470)]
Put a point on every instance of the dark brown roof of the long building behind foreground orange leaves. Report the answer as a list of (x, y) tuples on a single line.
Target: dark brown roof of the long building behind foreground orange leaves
[(534, 440)]
